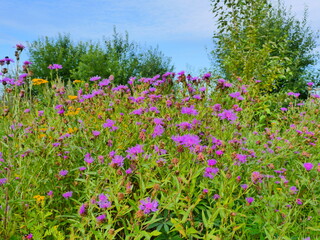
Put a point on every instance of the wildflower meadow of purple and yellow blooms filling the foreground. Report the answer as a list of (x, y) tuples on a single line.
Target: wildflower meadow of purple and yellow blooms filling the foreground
[(174, 156)]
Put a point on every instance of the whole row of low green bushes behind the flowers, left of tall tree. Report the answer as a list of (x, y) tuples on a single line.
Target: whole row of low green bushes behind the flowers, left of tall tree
[(116, 56)]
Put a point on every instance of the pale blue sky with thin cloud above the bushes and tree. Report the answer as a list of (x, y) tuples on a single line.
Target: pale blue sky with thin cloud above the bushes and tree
[(182, 29)]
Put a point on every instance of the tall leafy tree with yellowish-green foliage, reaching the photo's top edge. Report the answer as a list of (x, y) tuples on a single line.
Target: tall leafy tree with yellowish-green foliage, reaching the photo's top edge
[(257, 40)]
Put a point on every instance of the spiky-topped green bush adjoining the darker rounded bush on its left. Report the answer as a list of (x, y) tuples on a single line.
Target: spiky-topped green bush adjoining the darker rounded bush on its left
[(122, 59)]
